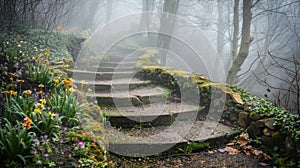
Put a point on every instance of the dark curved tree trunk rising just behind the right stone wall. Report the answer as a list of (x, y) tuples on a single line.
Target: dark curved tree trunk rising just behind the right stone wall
[(245, 43)]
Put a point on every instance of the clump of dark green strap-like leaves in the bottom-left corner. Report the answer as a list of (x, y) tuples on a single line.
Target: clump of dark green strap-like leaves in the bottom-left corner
[(15, 142)]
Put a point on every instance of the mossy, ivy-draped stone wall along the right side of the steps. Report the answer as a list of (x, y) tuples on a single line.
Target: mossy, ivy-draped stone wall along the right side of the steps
[(264, 121)]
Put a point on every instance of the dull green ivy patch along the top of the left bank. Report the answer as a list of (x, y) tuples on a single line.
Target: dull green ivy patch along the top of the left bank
[(61, 44)]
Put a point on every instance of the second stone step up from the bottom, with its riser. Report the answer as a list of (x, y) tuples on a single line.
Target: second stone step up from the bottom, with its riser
[(151, 115)]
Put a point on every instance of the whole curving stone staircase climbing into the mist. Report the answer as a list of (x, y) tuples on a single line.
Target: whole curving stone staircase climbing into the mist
[(143, 118)]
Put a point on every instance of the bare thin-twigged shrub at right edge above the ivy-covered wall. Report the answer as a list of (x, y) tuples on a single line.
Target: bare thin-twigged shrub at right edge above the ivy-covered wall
[(287, 94)]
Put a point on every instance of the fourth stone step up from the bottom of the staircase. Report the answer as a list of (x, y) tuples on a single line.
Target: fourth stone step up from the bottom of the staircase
[(107, 86)]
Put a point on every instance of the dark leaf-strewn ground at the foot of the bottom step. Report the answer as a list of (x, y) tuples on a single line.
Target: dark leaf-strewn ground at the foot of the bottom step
[(195, 160)]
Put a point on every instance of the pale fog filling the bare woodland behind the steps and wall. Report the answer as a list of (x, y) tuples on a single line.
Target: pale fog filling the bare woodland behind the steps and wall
[(205, 27)]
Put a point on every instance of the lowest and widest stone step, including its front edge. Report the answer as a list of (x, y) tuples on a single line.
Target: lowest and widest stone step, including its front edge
[(150, 141)]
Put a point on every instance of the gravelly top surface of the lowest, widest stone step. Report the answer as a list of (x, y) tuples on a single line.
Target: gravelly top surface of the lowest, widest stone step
[(180, 131)]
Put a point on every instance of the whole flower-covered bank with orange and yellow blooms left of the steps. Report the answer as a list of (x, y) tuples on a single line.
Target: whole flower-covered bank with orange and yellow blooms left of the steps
[(38, 107)]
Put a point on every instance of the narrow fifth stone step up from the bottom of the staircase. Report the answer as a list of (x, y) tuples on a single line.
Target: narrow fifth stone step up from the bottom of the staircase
[(89, 75)]
